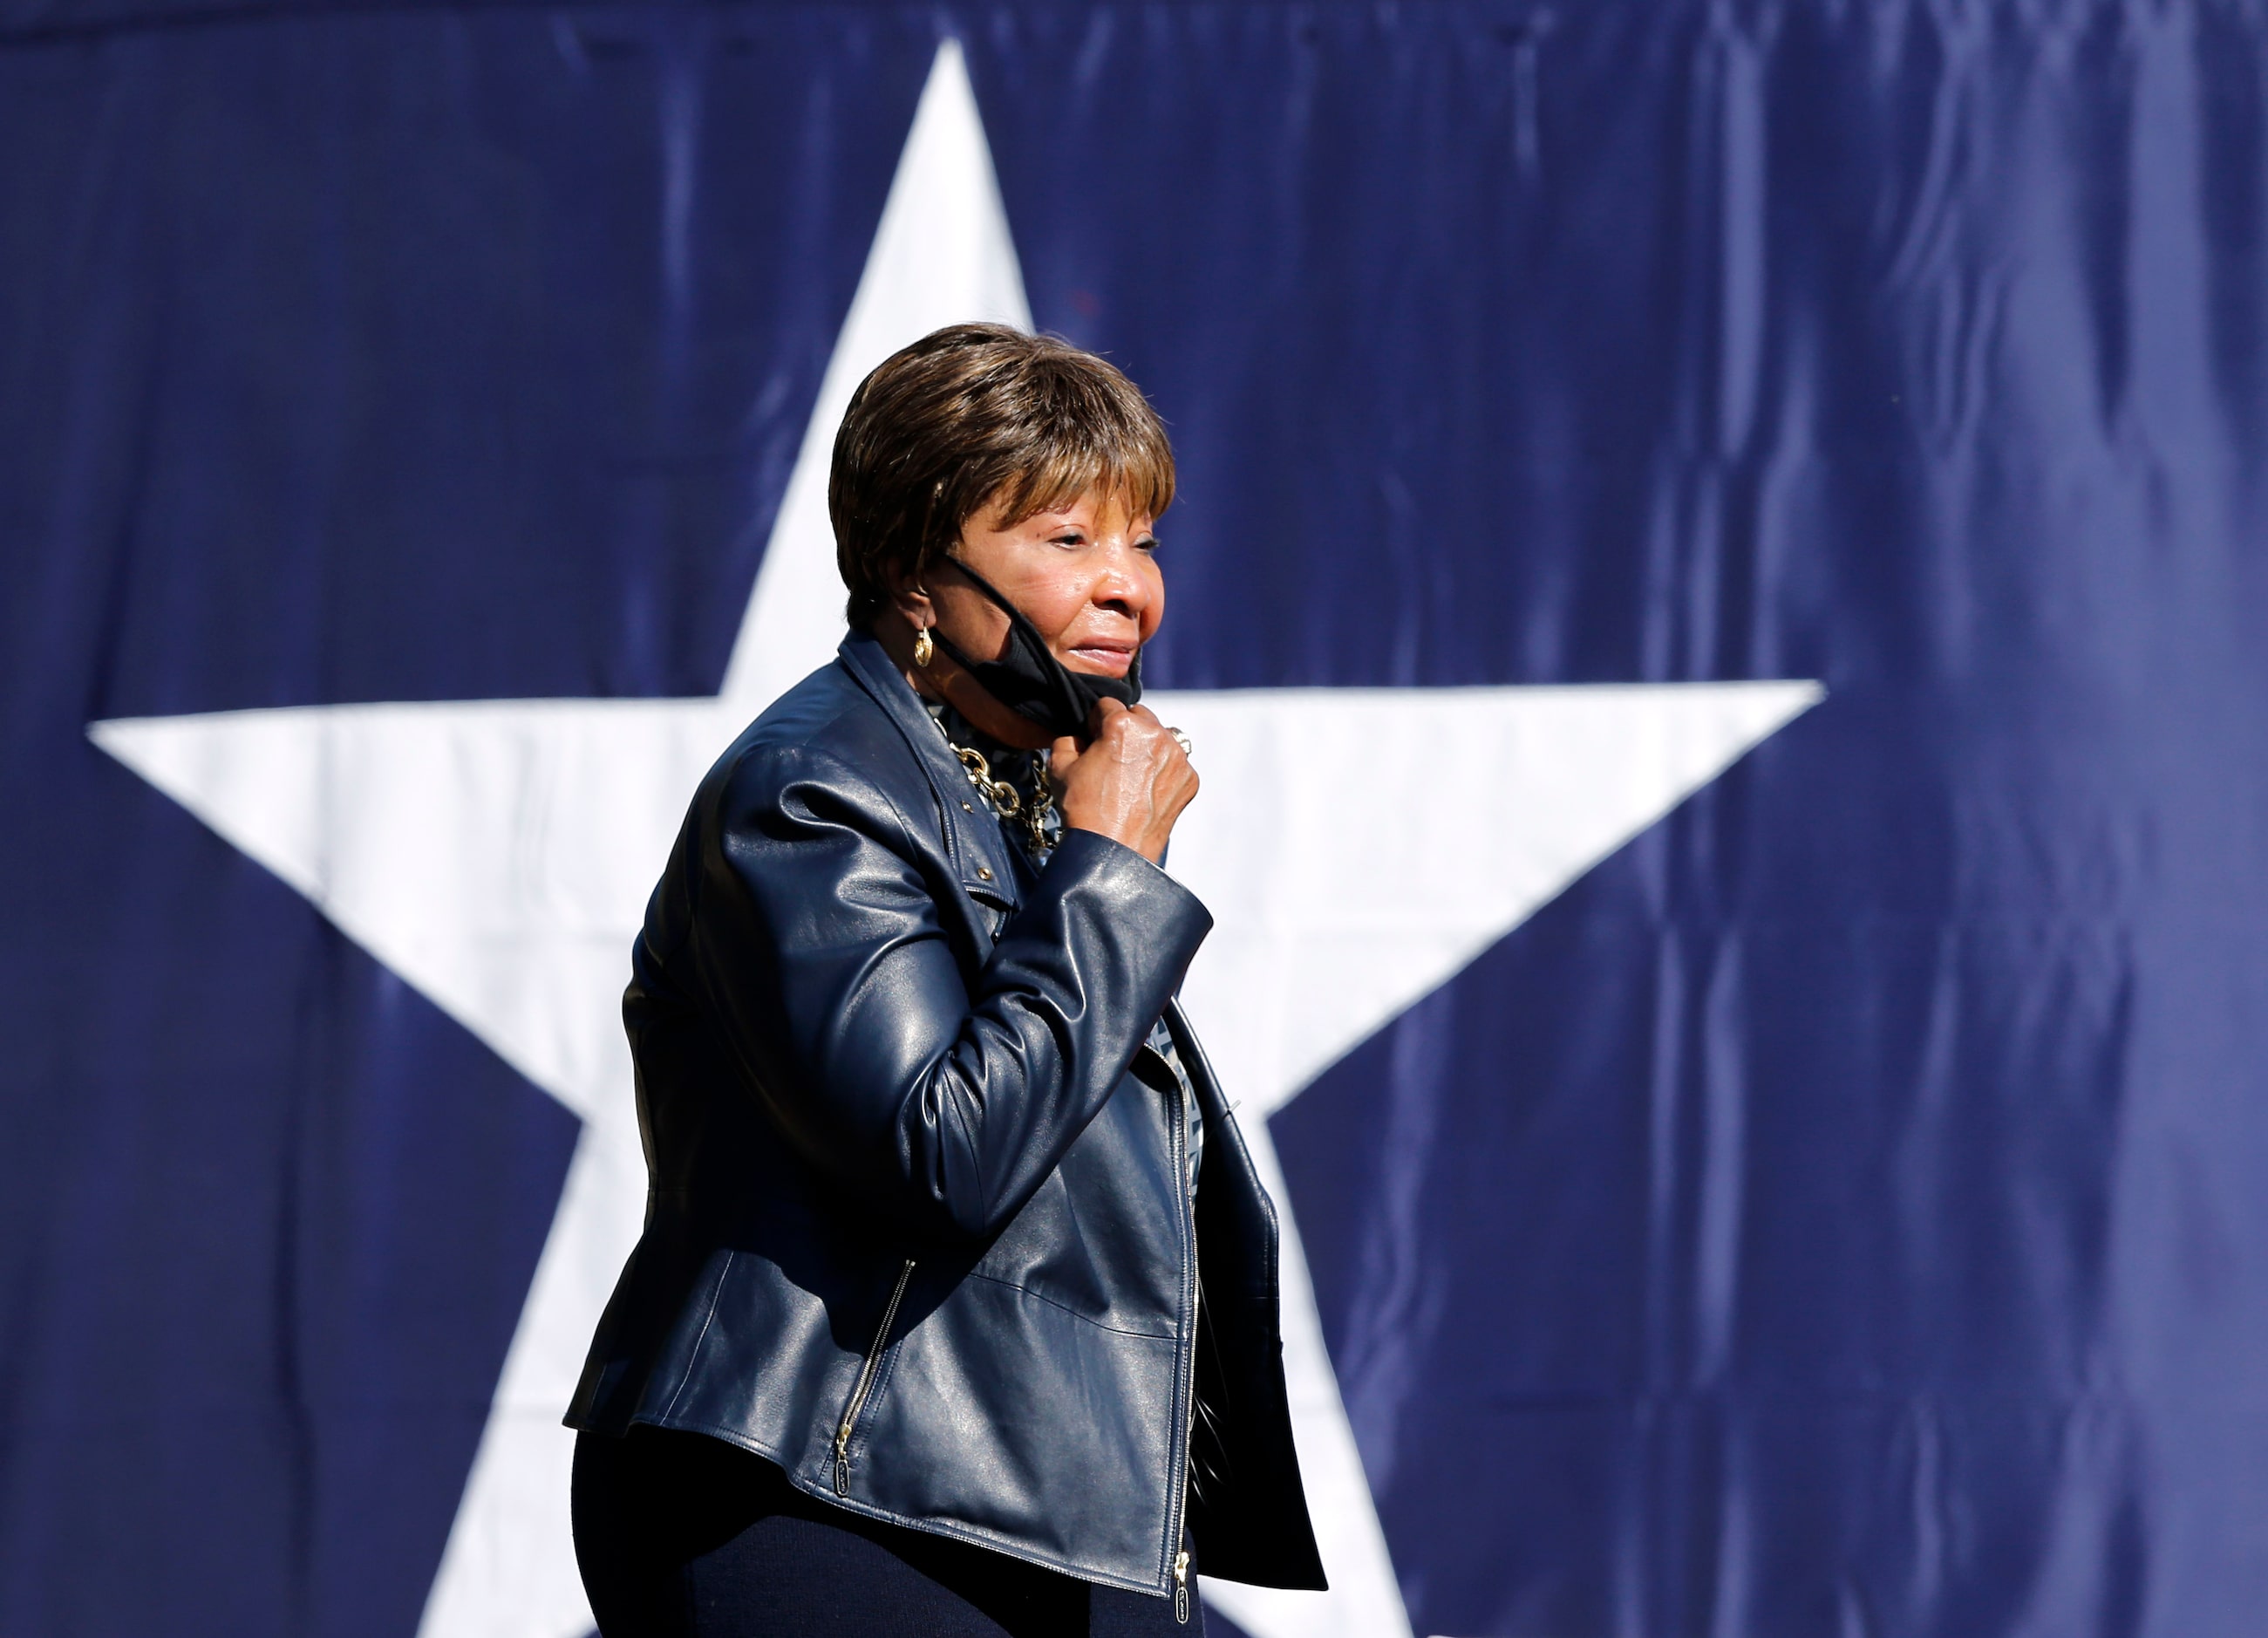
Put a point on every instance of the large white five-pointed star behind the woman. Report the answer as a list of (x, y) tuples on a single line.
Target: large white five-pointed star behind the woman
[(498, 856)]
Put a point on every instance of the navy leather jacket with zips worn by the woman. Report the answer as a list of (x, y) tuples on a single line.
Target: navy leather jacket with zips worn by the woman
[(917, 1224)]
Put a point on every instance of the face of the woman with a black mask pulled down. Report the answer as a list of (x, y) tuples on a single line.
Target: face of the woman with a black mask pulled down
[(1083, 575)]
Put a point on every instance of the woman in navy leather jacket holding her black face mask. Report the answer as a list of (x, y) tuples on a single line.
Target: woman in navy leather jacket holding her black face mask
[(956, 1308)]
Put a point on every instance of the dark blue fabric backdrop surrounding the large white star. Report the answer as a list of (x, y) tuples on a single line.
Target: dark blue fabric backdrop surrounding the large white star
[(1843, 1213)]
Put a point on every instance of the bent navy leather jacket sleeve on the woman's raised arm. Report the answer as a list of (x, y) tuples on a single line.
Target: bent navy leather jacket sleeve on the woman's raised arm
[(822, 956)]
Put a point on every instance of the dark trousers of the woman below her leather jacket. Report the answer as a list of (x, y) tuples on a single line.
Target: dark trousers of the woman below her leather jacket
[(688, 1537)]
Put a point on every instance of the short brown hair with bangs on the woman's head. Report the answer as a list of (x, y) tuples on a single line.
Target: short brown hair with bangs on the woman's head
[(981, 416)]
